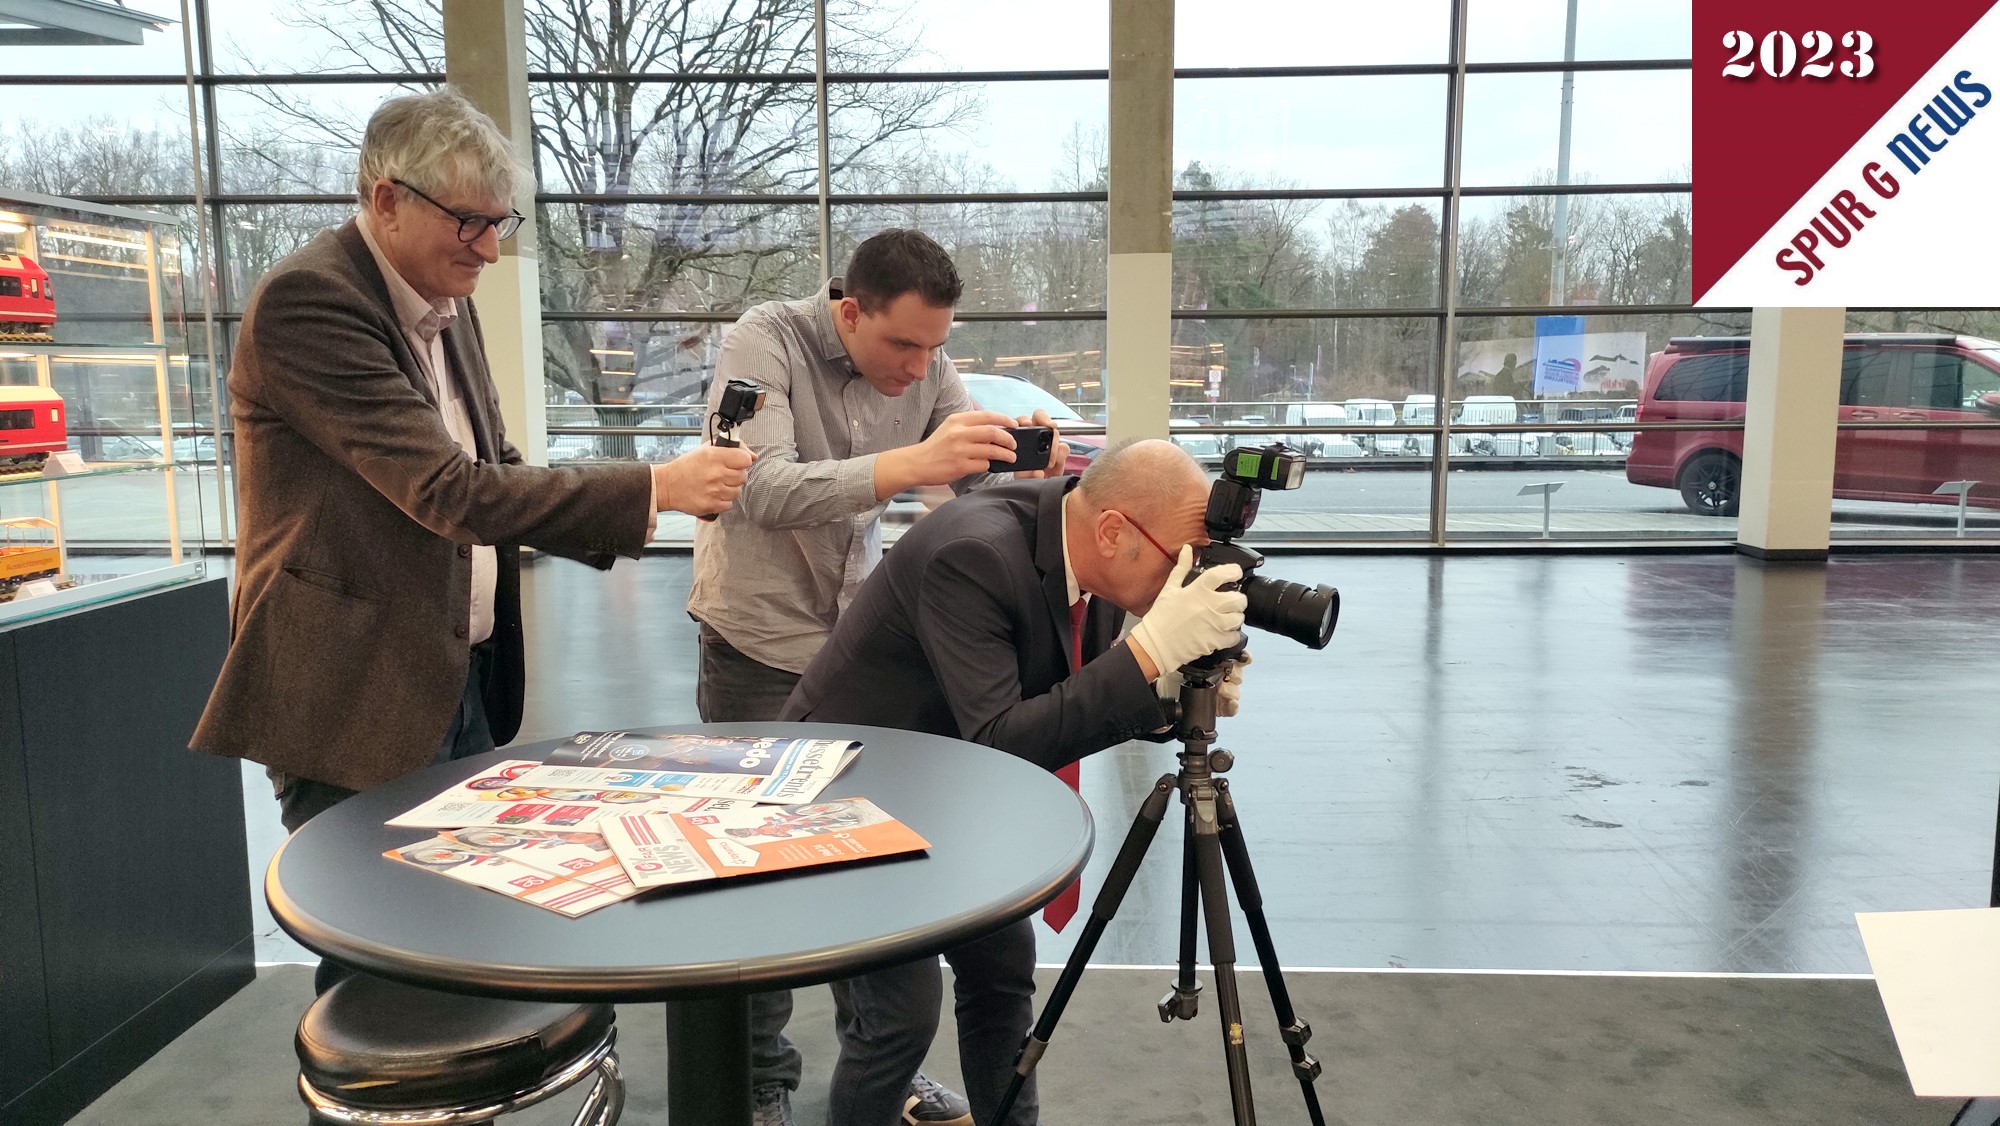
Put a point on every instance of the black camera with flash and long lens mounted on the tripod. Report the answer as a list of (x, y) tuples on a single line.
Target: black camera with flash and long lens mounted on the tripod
[(1279, 607)]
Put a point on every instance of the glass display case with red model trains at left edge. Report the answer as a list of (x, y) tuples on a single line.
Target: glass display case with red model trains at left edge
[(107, 431)]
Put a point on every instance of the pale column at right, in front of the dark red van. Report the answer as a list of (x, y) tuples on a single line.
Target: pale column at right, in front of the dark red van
[(1789, 433)]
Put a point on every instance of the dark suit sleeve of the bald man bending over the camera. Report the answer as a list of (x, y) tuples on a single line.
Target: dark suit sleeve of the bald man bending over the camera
[(969, 629)]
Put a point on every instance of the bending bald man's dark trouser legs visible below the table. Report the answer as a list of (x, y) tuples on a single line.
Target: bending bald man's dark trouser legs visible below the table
[(891, 1017)]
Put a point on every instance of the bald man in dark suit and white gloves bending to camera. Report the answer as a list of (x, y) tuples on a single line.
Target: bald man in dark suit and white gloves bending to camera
[(971, 629)]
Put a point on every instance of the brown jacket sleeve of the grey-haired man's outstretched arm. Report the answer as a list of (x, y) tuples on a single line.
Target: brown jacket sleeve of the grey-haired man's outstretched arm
[(331, 373)]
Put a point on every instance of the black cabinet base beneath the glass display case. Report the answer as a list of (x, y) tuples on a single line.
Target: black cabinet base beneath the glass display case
[(125, 897)]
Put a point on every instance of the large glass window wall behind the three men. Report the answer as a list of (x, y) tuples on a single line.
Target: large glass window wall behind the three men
[(1445, 289)]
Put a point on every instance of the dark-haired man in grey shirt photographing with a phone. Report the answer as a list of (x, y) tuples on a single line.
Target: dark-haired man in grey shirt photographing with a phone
[(859, 405)]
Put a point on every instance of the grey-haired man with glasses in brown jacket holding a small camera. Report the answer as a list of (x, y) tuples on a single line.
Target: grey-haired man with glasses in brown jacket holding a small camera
[(377, 617)]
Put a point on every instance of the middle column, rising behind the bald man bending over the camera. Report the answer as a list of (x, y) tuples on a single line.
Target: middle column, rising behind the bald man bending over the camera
[(1141, 287)]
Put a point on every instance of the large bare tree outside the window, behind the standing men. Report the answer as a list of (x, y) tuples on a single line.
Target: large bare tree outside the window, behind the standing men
[(625, 137)]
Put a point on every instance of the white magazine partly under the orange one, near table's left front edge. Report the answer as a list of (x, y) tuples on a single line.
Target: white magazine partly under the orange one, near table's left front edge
[(565, 873)]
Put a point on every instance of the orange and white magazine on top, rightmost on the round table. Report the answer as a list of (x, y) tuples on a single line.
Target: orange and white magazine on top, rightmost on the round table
[(661, 849)]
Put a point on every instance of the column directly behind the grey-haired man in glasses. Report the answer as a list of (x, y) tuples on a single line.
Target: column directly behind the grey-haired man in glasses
[(487, 61)]
